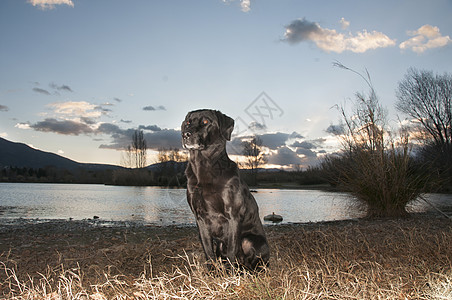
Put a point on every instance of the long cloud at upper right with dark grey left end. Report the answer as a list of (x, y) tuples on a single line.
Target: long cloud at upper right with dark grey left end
[(329, 40)]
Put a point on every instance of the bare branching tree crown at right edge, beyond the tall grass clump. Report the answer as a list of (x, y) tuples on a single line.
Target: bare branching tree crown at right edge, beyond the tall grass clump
[(427, 98)]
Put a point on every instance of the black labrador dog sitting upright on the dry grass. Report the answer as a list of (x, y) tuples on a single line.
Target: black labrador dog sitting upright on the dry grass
[(226, 213)]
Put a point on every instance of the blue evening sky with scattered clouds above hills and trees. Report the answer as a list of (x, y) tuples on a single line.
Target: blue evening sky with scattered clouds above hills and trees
[(78, 77)]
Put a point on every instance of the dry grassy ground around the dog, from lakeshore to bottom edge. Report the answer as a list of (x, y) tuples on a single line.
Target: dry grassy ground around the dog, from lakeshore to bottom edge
[(366, 259)]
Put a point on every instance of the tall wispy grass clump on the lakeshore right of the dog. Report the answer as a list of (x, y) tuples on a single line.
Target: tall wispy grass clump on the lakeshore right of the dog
[(375, 165)]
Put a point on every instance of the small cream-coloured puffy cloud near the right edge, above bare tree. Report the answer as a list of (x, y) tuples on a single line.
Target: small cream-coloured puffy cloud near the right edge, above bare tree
[(426, 37)]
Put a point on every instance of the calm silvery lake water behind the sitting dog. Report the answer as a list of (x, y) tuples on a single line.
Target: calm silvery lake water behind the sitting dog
[(167, 206)]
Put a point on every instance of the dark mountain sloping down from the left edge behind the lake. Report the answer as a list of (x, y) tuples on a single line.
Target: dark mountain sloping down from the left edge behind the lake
[(20, 155)]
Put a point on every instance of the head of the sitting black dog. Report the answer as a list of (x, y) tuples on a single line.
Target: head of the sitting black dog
[(204, 128)]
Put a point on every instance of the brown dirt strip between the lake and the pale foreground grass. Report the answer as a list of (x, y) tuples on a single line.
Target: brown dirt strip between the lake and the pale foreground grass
[(96, 249)]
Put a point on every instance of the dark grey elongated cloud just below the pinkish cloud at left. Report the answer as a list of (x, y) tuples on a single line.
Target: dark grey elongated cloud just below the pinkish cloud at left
[(66, 127)]
